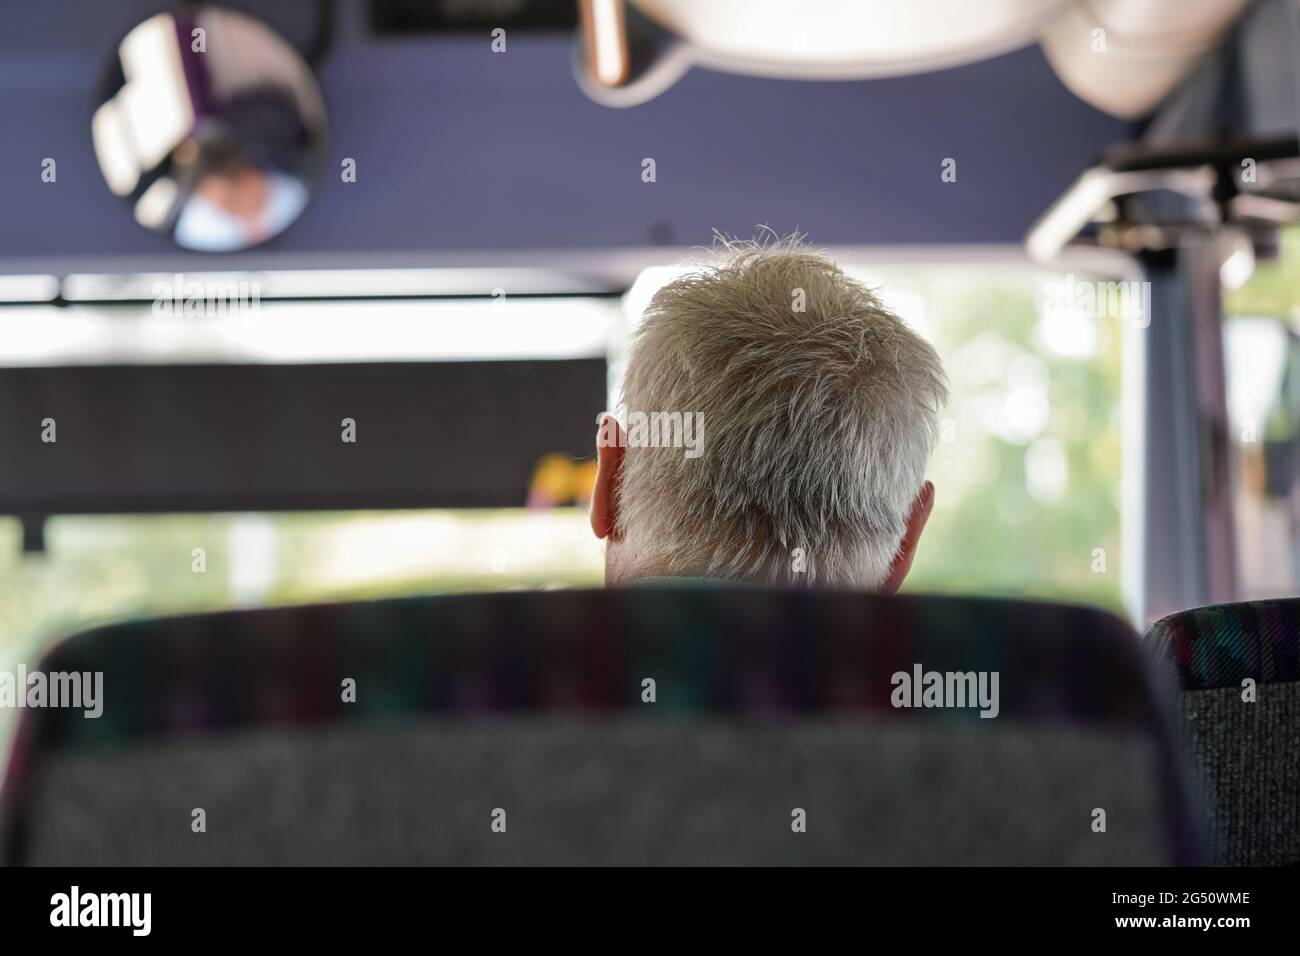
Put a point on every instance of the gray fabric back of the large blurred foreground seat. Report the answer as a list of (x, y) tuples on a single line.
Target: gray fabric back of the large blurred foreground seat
[(612, 793)]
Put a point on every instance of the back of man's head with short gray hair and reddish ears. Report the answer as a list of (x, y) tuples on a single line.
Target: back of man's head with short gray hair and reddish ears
[(820, 412)]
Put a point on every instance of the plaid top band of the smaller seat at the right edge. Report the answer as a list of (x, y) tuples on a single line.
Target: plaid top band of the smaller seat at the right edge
[(1223, 644)]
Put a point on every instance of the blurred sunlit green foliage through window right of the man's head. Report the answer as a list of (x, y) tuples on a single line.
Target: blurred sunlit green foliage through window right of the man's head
[(993, 535)]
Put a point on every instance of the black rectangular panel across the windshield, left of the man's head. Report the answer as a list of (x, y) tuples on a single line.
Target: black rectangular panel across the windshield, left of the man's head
[(154, 439)]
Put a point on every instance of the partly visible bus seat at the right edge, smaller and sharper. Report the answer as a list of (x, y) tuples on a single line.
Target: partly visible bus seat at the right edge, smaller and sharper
[(1246, 746)]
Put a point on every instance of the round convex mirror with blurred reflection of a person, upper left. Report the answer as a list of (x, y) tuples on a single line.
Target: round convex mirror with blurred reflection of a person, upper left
[(211, 129)]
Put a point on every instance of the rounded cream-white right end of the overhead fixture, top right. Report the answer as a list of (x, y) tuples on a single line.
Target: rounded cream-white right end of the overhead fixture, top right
[(1125, 57)]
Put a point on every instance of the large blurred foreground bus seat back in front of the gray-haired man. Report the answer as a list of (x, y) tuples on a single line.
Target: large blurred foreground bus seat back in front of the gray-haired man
[(523, 728)]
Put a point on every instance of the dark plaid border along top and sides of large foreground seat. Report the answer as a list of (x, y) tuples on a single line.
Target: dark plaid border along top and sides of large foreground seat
[(736, 652)]
